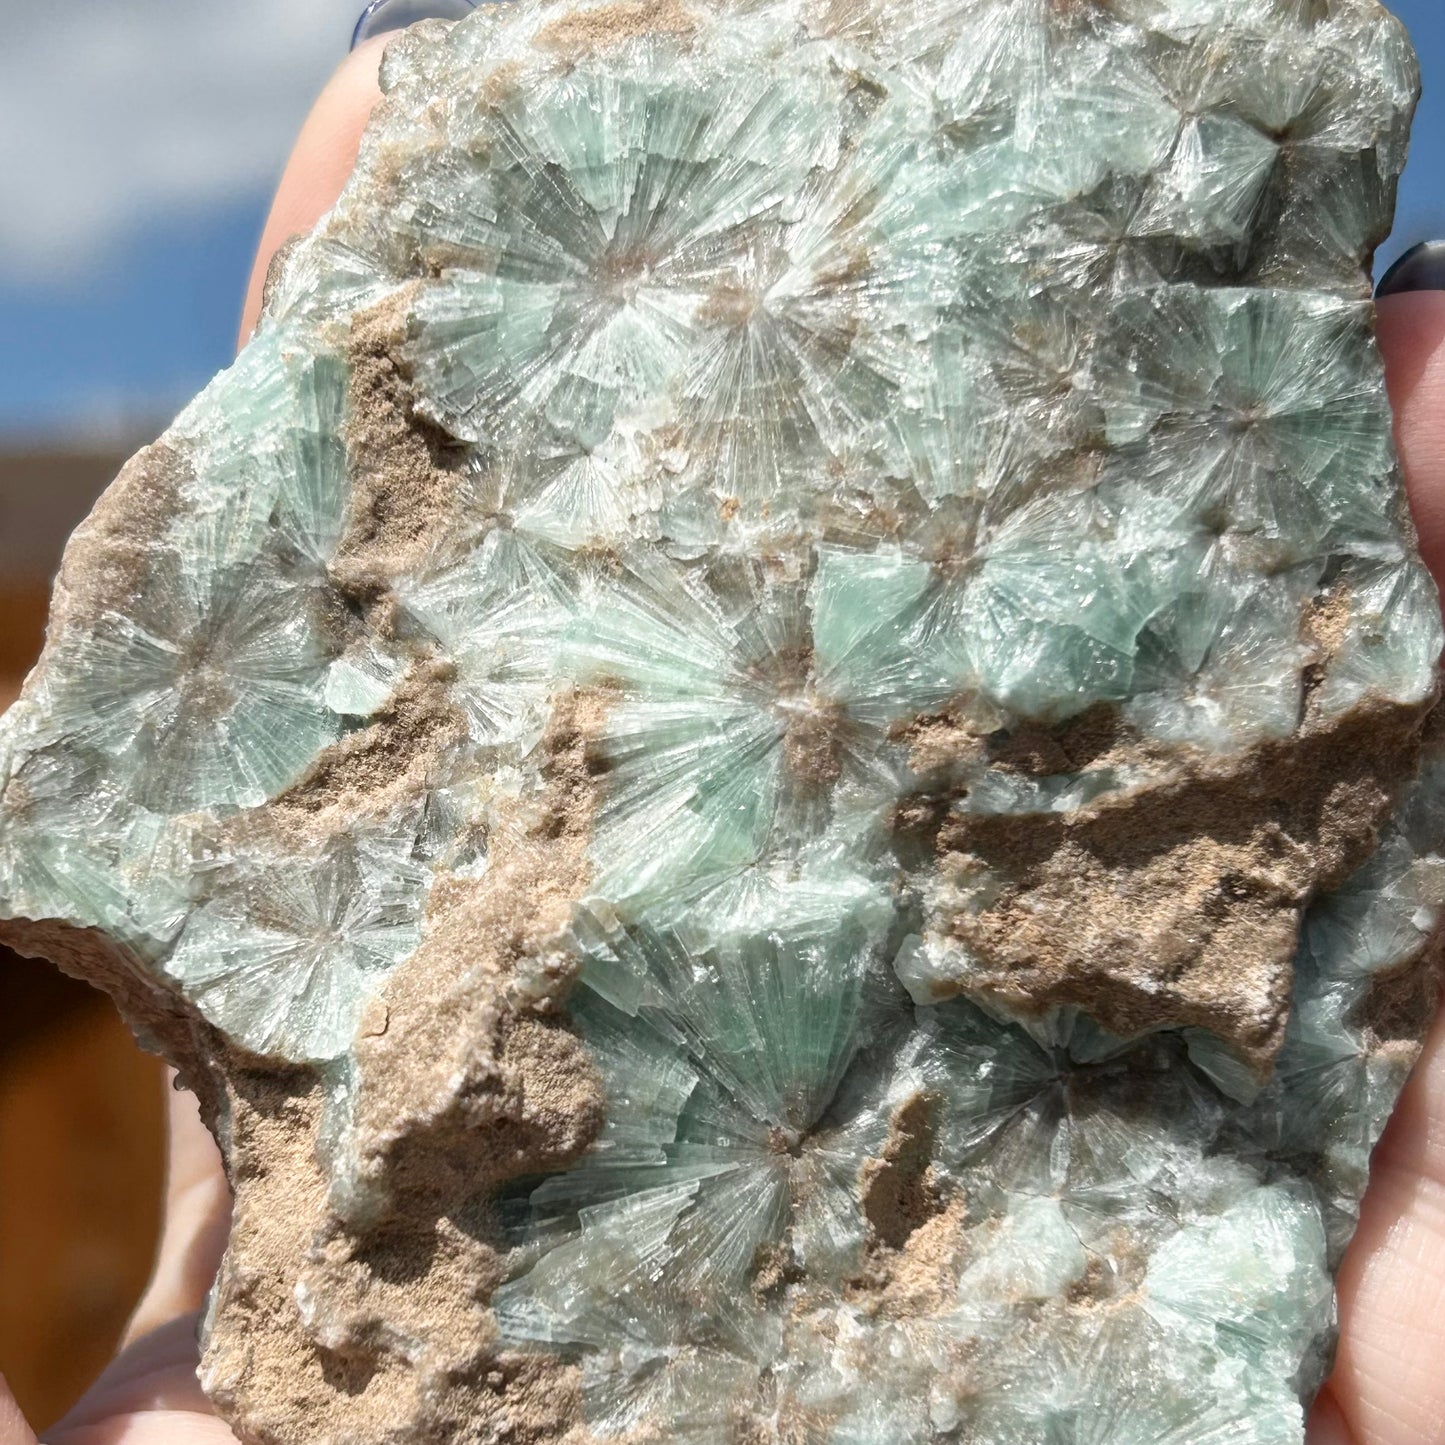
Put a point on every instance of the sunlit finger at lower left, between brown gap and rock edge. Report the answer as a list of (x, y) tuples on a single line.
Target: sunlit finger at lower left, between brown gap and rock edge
[(197, 1217)]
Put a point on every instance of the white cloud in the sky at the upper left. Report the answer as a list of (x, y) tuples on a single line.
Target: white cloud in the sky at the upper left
[(113, 112)]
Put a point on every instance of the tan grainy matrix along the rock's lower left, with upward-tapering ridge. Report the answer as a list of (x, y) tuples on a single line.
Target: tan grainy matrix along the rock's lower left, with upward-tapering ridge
[(375, 1326)]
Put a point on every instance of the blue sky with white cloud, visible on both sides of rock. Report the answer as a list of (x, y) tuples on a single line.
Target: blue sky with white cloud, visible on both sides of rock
[(139, 142)]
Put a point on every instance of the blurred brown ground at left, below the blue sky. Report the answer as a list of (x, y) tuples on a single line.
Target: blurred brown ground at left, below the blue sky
[(82, 1108)]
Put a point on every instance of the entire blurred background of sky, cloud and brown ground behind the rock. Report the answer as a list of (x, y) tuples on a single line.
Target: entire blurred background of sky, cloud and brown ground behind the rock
[(139, 144)]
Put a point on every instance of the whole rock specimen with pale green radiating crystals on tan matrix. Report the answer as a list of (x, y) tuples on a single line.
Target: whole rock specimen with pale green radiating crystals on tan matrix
[(765, 756)]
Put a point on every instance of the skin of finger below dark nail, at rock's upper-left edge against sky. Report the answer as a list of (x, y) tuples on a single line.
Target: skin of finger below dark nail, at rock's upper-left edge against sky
[(323, 158)]
